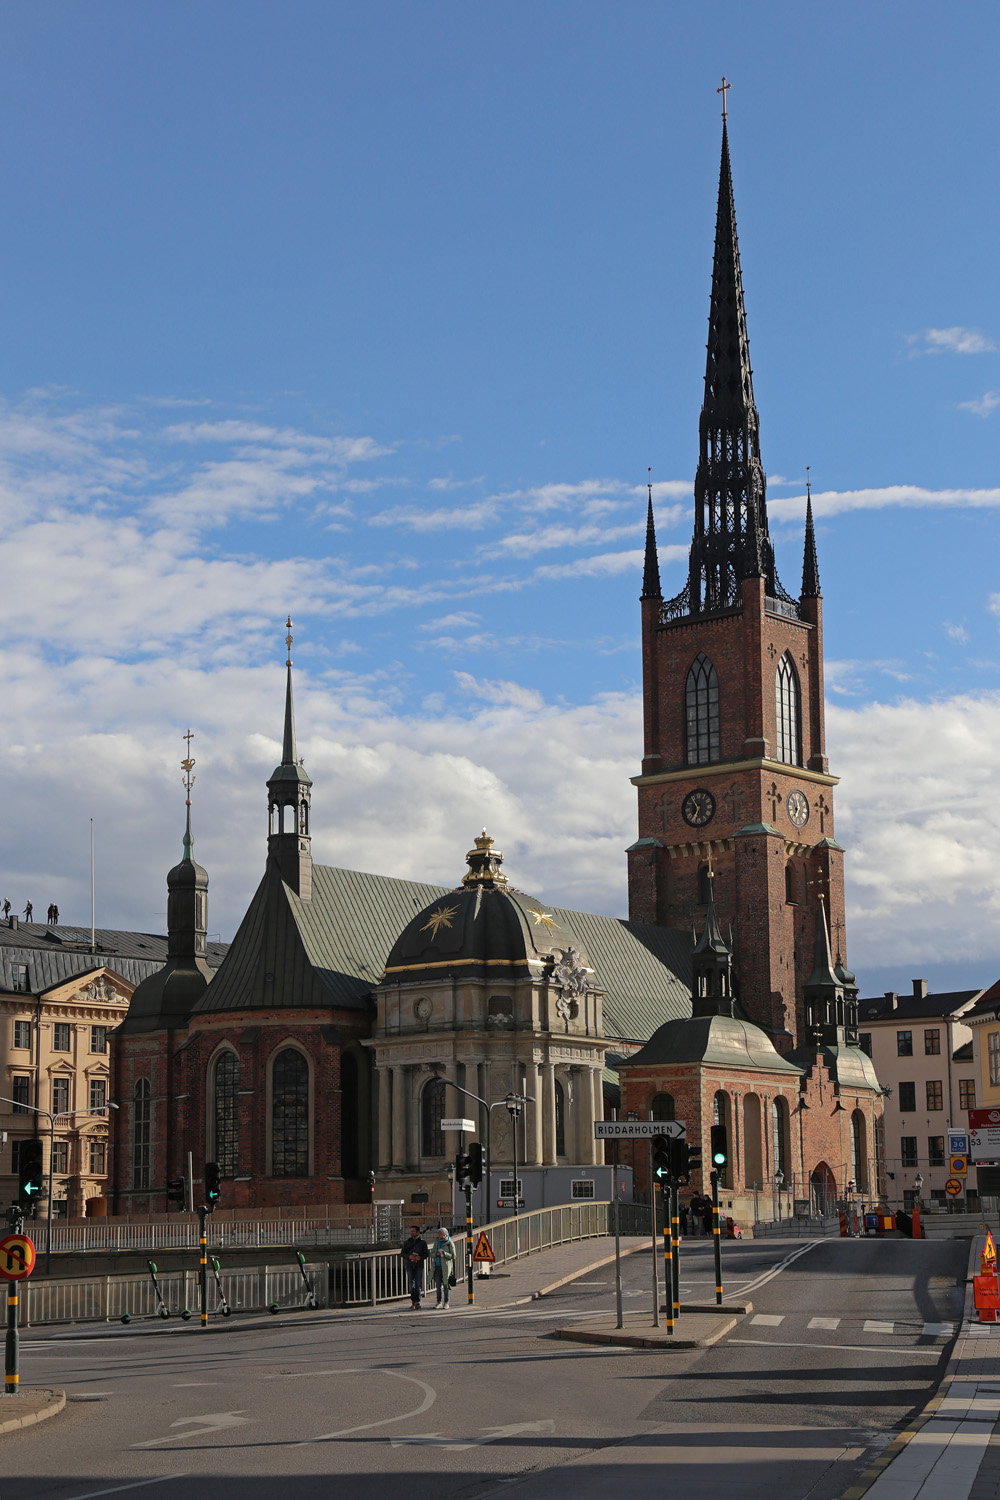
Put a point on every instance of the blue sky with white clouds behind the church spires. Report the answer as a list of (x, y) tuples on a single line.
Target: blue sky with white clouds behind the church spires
[(379, 314)]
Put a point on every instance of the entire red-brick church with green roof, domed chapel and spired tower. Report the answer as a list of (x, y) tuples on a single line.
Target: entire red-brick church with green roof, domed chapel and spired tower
[(353, 1013)]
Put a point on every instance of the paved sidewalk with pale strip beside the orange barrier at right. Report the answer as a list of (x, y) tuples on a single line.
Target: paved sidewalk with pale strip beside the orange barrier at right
[(953, 1450)]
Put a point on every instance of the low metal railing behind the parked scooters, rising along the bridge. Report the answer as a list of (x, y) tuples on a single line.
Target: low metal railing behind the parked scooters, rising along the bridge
[(350, 1282)]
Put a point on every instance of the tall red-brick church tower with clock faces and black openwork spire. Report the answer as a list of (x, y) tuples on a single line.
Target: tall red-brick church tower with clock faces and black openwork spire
[(735, 776)]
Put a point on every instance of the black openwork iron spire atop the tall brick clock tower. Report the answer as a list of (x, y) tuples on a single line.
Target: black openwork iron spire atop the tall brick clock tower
[(731, 515)]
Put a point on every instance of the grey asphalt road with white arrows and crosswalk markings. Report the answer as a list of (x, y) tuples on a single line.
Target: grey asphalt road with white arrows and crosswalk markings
[(846, 1340)]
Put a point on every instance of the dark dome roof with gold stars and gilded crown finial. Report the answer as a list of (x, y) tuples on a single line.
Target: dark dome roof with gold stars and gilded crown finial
[(481, 929)]
